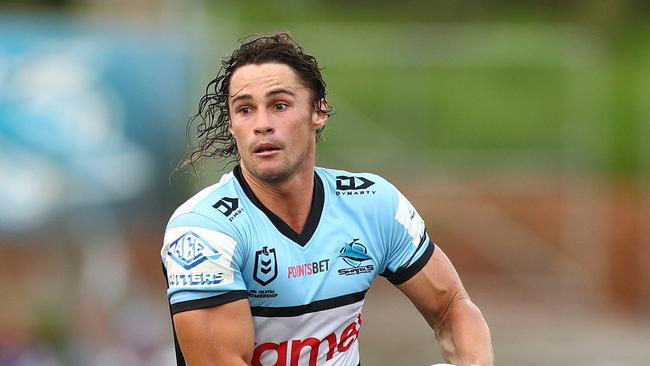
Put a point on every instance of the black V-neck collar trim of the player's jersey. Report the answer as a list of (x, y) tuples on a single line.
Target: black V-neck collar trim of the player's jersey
[(318, 199)]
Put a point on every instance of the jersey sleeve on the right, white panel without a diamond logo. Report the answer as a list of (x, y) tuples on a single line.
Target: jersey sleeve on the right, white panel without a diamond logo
[(409, 246)]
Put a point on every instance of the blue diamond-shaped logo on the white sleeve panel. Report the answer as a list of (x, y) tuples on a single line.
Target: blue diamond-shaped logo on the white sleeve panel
[(190, 250)]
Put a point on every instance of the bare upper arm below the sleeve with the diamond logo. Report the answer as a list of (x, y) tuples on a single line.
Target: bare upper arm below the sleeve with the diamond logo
[(218, 335)]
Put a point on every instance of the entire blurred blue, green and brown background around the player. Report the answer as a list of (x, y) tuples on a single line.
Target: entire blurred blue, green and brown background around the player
[(519, 129)]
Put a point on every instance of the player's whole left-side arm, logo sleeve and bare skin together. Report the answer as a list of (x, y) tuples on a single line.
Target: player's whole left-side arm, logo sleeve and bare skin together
[(206, 291)]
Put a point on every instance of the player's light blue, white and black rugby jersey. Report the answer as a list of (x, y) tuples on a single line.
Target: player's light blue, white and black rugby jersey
[(305, 290)]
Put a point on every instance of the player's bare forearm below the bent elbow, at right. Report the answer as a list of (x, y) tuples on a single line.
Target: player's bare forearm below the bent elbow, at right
[(464, 336)]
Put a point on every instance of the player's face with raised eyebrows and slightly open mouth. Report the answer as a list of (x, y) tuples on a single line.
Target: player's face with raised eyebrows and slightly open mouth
[(273, 120)]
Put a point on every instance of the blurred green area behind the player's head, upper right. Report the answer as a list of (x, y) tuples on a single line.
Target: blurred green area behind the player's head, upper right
[(545, 90)]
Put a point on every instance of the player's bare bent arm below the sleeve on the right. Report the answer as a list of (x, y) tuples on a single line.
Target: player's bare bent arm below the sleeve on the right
[(437, 292)]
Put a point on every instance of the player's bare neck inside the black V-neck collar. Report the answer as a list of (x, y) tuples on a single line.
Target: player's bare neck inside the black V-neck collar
[(290, 199)]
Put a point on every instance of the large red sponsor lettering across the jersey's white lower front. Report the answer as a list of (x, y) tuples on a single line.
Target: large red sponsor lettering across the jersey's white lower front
[(294, 351)]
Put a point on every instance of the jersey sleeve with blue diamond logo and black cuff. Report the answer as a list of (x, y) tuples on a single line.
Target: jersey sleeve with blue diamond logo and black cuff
[(201, 263)]
